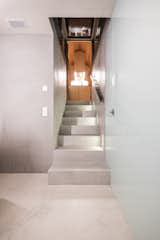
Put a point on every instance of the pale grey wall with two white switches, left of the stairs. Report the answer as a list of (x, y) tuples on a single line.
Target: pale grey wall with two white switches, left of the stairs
[(26, 138)]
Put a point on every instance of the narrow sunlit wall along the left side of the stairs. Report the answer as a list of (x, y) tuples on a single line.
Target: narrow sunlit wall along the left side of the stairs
[(60, 80)]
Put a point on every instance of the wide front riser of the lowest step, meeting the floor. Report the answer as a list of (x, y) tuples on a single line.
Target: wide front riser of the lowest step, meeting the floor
[(79, 178)]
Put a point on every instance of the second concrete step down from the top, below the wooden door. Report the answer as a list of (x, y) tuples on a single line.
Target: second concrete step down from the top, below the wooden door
[(79, 113)]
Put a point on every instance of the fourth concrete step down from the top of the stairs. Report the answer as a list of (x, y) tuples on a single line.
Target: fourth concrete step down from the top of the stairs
[(79, 130)]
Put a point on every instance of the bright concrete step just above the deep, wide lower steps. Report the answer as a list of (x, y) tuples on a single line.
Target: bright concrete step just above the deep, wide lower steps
[(64, 140)]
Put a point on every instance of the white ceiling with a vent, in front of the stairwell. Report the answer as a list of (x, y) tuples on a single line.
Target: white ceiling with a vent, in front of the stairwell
[(36, 13)]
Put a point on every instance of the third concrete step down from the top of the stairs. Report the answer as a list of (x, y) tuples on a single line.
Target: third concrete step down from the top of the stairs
[(91, 121)]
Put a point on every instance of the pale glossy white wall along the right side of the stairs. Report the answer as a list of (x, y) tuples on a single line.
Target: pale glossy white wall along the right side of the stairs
[(133, 57)]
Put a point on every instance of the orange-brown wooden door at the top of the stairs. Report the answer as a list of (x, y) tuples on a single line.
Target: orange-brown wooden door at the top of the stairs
[(79, 61)]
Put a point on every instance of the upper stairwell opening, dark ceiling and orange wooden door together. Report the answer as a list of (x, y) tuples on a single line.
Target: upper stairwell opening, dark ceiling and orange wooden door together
[(79, 40)]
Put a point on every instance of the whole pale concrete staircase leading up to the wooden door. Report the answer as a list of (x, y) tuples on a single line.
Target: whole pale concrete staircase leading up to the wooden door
[(79, 158)]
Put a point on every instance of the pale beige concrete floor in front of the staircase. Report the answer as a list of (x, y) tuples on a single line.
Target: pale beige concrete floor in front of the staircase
[(32, 210)]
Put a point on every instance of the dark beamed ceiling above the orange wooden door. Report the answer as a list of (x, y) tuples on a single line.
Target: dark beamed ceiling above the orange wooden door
[(79, 29)]
